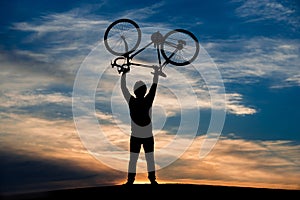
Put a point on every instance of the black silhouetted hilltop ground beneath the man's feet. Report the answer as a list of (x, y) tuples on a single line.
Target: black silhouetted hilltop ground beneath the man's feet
[(184, 191)]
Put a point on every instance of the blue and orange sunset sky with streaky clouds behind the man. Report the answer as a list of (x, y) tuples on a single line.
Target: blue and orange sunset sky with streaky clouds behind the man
[(229, 118)]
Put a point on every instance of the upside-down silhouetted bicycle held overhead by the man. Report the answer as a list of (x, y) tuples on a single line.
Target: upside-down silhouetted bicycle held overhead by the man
[(122, 38)]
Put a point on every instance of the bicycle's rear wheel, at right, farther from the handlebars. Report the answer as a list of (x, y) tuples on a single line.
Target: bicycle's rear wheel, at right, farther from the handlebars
[(180, 47)]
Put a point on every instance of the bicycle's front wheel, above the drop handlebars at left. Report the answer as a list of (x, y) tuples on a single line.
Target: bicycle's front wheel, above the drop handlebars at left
[(122, 36)]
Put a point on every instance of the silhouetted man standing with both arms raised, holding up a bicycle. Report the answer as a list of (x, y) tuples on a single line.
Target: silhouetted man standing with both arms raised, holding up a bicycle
[(140, 108)]
